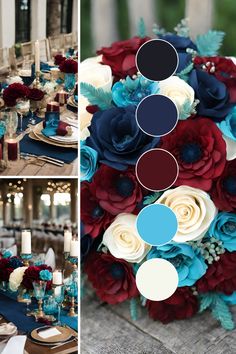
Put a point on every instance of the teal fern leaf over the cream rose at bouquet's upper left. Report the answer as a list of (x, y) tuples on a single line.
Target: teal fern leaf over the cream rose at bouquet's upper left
[(97, 97)]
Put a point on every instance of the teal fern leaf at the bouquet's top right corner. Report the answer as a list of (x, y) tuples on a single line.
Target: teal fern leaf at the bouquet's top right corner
[(208, 44)]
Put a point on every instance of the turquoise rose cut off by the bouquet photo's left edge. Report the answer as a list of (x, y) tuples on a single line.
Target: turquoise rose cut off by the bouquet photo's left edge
[(88, 162)]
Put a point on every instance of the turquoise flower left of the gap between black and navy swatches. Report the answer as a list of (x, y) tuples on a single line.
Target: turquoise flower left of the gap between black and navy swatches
[(132, 91)]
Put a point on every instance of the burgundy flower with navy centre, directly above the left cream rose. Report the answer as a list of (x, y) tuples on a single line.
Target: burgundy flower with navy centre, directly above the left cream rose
[(117, 191)]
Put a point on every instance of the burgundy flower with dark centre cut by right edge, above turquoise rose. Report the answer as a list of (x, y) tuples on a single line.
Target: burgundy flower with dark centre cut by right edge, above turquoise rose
[(223, 191)]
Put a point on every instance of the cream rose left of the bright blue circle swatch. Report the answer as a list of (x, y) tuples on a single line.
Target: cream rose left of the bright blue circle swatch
[(123, 240)]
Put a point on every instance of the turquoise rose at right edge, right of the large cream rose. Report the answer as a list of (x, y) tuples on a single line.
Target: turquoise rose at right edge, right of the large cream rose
[(223, 227)]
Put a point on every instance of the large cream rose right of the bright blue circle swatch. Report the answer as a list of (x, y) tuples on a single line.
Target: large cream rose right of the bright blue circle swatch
[(194, 211)]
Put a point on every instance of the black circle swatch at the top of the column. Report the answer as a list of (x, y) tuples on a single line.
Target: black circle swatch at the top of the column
[(157, 59)]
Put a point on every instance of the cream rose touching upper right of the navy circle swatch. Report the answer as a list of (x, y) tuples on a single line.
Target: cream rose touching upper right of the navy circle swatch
[(178, 90)]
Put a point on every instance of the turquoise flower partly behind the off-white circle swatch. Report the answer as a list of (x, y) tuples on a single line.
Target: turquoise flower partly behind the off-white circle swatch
[(188, 262)]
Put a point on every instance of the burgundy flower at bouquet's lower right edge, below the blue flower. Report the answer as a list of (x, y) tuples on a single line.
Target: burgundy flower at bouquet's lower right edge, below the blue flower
[(220, 275)]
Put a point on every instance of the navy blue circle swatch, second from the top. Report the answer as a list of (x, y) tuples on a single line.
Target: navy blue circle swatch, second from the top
[(157, 115)]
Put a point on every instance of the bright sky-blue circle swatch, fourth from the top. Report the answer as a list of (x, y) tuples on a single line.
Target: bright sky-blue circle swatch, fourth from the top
[(156, 224)]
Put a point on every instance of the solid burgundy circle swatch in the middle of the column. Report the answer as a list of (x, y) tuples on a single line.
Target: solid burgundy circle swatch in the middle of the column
[(157, 169)]
